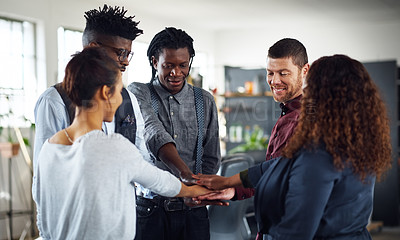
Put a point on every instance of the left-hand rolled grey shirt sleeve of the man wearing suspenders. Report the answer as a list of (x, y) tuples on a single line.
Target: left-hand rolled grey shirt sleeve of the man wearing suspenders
[(155, 134)]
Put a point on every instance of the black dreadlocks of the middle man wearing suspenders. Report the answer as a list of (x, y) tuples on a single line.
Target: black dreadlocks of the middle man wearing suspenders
[(171, 38)]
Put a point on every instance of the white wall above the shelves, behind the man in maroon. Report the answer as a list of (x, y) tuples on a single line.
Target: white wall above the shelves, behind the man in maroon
[(364, 42)]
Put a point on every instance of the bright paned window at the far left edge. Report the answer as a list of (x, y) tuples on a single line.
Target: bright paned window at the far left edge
[(18, 65)]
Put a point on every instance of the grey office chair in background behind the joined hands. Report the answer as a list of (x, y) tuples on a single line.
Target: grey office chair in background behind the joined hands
[(230, 223)]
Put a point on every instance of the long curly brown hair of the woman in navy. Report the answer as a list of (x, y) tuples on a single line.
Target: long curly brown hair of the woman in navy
[(343, 111)]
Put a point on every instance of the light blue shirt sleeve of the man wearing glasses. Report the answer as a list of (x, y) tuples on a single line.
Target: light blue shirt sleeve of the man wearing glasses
[(50, 117)]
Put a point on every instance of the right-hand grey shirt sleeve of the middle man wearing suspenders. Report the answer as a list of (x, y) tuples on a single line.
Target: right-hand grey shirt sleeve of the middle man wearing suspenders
[(211, 146)]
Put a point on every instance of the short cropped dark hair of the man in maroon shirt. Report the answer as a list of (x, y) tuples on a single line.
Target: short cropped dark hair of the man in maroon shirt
[(289, 48)]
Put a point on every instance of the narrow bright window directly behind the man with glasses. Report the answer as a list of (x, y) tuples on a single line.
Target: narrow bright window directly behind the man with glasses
[(69, 42)]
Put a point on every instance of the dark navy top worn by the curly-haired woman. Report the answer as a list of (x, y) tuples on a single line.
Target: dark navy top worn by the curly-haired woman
[(308, 198)]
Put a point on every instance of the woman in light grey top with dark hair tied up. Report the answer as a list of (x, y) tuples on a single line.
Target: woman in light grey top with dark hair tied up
[(84, 185)]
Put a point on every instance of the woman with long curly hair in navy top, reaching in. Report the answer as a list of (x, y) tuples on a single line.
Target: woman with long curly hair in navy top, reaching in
[(322, 188)]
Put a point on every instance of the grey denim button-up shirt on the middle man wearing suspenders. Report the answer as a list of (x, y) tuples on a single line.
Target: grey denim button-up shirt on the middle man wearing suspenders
[(177, 123)]
